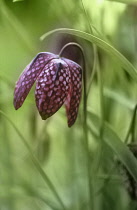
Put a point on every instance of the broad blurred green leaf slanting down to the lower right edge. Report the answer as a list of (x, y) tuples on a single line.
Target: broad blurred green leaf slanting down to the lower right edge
[(115, 143)]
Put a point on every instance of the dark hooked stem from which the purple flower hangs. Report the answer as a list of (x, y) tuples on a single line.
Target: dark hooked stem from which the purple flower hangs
[(85, 127)]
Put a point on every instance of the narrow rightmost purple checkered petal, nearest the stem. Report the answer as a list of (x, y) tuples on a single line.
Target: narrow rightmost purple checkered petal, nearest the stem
[(73, 99)]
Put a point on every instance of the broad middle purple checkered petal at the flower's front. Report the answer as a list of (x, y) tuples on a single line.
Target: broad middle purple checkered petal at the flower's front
[(52, 87)]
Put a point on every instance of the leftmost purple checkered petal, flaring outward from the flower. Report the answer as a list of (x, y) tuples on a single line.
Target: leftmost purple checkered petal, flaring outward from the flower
[(29, 76)]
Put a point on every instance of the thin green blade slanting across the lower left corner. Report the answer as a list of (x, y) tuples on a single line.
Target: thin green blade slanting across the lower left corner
[(36, 163)]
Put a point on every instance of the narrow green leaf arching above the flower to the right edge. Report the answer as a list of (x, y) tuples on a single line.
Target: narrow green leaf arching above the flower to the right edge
[(100, 43)]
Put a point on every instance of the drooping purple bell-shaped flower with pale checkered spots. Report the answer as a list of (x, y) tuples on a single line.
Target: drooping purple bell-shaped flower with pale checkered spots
[(58, 81)]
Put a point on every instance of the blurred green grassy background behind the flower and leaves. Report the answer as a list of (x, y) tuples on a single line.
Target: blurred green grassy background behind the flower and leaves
[(59, 149)]
